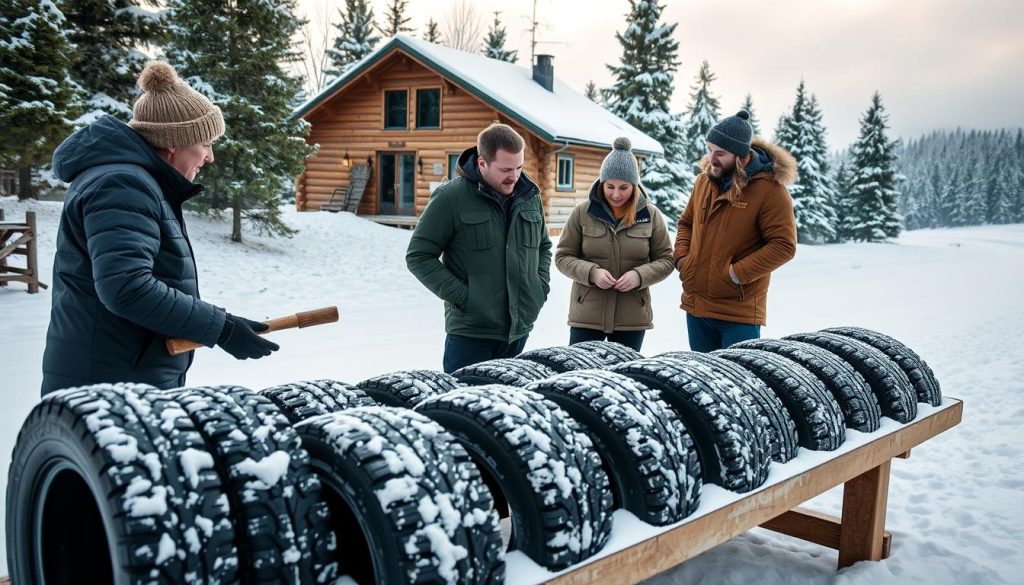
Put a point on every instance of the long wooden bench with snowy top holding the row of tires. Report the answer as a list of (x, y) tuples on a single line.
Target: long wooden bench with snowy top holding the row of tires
[(862, 466)]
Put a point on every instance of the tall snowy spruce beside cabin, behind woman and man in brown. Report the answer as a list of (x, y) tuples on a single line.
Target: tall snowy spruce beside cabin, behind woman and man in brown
[(645, 80)]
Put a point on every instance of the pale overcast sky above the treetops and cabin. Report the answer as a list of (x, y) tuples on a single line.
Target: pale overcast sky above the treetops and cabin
[(938, 64)]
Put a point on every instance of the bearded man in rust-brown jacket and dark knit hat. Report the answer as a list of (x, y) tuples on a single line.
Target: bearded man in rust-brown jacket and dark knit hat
[(737, 229)]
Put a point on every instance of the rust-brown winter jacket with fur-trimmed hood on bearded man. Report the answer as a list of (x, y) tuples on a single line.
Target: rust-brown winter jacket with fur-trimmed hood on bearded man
[(756, 234)]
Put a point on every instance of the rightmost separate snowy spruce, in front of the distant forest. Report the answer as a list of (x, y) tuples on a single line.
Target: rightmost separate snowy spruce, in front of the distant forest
[(875, 184)]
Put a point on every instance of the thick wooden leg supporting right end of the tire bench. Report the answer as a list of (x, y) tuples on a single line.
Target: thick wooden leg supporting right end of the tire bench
[(865, 517)]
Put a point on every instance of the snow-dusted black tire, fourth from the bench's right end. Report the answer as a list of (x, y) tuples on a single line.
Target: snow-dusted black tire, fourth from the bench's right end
[(819, 419)]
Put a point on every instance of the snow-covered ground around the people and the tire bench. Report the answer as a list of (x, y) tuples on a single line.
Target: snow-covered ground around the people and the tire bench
[(956, 508)]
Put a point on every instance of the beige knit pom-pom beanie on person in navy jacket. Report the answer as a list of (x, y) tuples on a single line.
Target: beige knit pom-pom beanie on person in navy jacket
[(172, 114)]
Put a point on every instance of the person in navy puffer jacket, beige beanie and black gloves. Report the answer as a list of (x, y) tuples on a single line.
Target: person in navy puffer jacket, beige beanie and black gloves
[(124, 275)]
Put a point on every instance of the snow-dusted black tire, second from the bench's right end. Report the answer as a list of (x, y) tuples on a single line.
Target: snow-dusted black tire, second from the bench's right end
[(891, 387)]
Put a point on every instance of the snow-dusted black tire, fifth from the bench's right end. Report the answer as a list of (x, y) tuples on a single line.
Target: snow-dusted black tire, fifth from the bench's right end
[(782, 429)]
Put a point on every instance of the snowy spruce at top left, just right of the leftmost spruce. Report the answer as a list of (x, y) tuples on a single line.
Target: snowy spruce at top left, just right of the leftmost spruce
[(108, 36)]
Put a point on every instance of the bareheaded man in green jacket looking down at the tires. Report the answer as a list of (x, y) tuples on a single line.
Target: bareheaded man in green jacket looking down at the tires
[(483, 247)]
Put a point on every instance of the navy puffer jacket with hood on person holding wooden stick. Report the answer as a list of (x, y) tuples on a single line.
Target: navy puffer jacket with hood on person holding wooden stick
[(124, 275)]
